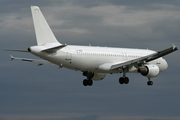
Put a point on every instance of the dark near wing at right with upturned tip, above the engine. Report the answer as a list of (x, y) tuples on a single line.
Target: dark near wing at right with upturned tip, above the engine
[(145, 59)]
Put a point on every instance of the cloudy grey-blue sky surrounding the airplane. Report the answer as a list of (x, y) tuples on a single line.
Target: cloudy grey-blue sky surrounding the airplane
[(45, 92)]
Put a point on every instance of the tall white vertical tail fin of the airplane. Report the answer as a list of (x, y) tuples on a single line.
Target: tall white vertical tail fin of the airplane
[(43, 32)]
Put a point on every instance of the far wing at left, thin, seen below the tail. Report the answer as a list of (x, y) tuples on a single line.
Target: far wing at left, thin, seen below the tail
[(39, 62)]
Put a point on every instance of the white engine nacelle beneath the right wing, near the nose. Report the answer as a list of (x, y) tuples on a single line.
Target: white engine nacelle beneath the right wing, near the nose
[(149, 71)]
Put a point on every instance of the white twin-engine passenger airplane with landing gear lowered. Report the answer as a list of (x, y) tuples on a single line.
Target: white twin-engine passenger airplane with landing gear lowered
[(94, 62)]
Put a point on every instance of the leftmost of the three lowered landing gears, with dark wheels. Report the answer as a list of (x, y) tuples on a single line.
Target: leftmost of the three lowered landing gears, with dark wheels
[(88, 81)]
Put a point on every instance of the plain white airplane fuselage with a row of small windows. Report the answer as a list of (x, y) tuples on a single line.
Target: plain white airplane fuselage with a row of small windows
[(88, 58)]
